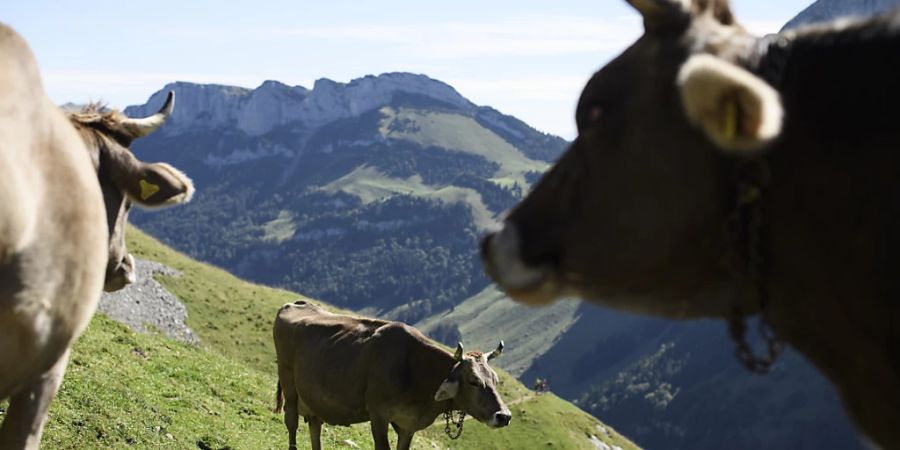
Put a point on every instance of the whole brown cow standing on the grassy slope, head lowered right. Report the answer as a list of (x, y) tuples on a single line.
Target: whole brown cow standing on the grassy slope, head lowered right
[(343, 370)]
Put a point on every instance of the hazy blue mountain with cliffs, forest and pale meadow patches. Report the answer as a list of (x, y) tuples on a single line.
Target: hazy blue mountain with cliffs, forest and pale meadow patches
[(349, 192)]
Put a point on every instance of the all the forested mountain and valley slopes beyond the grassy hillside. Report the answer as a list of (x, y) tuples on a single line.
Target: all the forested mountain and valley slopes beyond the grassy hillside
[(379, 209)]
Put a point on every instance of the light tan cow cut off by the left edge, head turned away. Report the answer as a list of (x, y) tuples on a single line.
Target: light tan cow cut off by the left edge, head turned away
[(61, 231)]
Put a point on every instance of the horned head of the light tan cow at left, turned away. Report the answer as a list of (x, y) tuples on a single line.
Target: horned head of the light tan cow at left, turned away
[(125, 180)]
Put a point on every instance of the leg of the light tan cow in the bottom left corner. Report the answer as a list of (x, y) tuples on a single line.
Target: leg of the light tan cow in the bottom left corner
[(27, 411)]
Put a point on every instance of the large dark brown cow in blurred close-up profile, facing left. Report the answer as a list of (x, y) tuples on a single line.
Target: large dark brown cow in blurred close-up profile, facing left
[(717, 174)]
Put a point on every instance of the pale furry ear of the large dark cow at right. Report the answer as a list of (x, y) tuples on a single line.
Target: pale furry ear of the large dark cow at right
[(738, 111)]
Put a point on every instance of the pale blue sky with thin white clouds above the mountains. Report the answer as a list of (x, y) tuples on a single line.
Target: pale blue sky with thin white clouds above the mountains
[(526, 58)]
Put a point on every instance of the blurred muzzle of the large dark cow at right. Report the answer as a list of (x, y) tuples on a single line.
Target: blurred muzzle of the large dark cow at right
[(501, 256)]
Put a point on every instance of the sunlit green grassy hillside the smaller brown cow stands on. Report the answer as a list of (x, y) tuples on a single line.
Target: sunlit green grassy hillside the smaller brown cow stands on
[(127, 390)]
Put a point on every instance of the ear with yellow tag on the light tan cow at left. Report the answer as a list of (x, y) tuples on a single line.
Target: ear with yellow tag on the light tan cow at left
[(159, 185)]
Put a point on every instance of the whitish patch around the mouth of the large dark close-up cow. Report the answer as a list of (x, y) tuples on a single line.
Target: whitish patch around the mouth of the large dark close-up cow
[(511, 272)]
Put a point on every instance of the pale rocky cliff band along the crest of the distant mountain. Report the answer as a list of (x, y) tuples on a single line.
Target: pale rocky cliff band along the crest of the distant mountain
[(273, 104)]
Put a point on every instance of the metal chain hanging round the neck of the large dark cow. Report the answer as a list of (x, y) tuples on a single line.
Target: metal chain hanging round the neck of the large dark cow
[(745, 228)]
